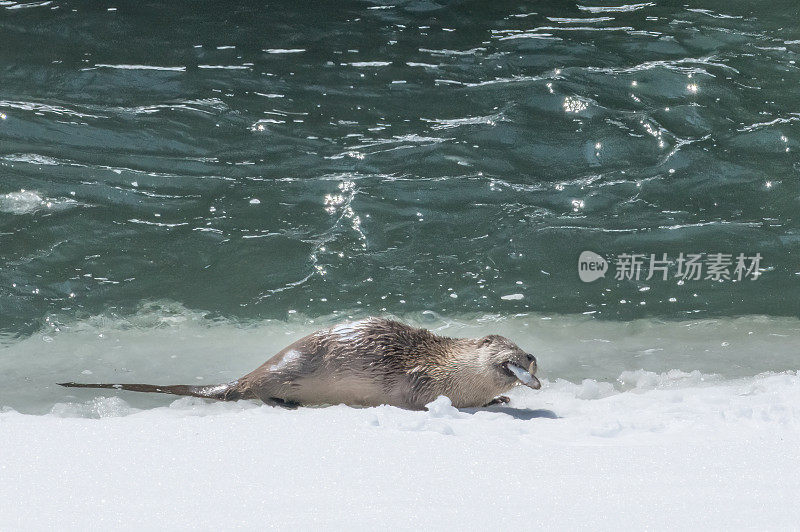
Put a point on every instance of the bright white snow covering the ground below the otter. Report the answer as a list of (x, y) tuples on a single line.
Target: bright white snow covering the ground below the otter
[(660, 451)]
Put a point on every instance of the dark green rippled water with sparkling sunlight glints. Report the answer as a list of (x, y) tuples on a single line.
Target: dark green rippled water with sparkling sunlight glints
[(253, 160)]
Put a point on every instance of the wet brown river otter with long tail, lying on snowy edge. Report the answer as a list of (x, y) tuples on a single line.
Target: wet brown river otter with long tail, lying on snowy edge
[(373, 362)]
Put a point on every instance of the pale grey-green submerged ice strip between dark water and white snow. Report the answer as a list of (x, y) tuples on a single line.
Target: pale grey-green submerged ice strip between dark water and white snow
[(166, 343)]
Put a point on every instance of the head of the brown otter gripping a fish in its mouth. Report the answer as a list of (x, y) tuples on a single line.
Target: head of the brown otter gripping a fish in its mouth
[(509, 363)]
